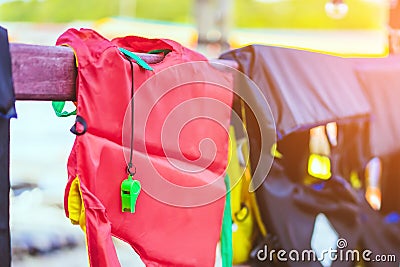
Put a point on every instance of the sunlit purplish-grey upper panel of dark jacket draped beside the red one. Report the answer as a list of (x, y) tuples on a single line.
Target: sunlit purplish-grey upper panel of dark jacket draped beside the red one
[(304, 89)]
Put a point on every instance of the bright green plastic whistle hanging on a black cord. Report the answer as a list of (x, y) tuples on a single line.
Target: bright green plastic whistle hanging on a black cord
[(130, 190)]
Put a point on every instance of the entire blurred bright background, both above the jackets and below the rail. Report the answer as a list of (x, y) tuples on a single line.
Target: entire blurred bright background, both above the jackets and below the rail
[(41, 142)]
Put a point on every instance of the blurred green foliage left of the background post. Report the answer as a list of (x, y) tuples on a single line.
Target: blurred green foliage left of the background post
[(65, 11)]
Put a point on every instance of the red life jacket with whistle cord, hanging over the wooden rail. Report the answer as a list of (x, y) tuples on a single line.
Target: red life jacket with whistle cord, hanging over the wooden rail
[(162, 233)]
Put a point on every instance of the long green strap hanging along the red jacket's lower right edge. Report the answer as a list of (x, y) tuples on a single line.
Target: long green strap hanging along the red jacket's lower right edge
[(226, 233)]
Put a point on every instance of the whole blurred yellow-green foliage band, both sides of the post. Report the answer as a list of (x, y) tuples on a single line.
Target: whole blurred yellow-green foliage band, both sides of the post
[(246, 13)]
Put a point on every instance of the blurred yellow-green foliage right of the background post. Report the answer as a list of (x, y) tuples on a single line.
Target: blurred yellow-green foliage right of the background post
[(307, 14)]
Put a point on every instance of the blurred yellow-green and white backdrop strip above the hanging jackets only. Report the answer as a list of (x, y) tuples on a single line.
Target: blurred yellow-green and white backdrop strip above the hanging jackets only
[(351, 27)]
